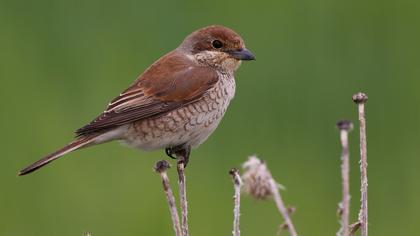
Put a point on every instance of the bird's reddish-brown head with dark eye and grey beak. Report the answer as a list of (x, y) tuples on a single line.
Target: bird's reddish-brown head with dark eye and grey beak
[(216, 46)]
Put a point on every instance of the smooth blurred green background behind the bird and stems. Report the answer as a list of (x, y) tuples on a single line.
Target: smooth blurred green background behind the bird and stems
[(62, 61)]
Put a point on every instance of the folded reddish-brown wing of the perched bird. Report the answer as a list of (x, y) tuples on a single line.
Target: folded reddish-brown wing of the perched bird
[(170, 83)]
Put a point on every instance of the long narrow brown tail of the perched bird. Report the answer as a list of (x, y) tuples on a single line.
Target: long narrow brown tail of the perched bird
[(76, 144)]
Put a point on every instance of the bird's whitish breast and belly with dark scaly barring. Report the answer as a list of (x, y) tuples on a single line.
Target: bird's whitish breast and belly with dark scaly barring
[(191, 124)]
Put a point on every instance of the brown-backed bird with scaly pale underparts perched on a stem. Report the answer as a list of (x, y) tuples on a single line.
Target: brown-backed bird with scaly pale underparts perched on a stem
[(175, 104)]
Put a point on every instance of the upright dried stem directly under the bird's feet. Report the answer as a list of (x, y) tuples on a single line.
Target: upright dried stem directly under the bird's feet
[(183, 197)]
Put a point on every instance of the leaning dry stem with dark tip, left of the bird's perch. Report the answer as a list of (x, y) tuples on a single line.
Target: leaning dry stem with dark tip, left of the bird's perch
[(161, 168)]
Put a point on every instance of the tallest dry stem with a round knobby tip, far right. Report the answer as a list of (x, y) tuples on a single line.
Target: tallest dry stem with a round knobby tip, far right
[(360, 99)]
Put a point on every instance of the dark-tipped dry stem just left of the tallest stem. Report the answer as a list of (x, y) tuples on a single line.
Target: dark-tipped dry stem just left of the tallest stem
[(345, 127)]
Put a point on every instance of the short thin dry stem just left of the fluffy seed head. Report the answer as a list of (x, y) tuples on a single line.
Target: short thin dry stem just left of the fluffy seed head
[(237, 183)]
